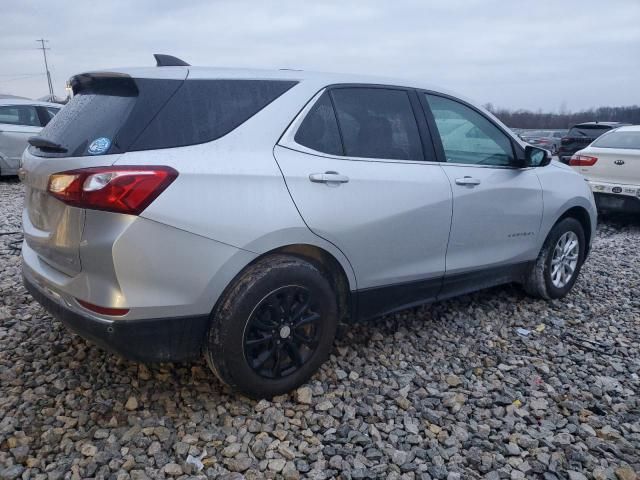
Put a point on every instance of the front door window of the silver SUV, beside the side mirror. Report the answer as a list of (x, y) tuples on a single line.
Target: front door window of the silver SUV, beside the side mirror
[(469, 137)]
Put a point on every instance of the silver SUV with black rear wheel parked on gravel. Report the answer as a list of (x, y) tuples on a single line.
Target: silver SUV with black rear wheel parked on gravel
[(174, 211)]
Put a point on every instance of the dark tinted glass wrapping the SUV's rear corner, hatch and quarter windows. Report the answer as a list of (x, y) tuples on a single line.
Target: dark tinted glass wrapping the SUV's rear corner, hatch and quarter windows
[(111, 115)]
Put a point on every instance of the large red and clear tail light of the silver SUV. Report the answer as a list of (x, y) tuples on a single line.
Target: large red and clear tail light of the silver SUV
[(120, 189)]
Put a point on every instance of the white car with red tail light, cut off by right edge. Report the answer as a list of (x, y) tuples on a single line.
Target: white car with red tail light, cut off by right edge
[(611, 164)]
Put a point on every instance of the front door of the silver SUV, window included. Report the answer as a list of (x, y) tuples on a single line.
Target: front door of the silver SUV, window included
[(497, 207)]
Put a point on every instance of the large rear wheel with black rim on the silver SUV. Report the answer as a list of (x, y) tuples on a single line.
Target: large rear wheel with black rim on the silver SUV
[(259, 324)]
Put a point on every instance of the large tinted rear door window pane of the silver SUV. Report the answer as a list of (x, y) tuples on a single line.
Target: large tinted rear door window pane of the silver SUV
[(377, 123)]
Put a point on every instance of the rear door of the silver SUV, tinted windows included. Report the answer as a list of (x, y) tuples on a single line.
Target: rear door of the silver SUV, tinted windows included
[(364, 179)]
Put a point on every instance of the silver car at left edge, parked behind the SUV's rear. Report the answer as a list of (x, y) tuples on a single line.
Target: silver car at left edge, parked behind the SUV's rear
[(19, 120)]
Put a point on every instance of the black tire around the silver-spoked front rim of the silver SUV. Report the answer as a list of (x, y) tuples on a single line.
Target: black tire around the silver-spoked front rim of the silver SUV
[(539, 282)]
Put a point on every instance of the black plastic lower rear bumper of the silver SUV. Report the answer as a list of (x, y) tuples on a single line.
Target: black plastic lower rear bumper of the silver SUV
[(148, 340)]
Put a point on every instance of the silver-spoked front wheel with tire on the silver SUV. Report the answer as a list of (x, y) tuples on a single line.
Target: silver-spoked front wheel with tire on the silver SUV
[(558, 264)]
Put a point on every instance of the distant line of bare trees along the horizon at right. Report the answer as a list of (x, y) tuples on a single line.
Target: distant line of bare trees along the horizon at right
[(563, 120)]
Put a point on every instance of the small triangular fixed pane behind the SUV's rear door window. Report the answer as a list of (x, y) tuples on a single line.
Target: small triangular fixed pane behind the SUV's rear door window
[(319, 130)]
